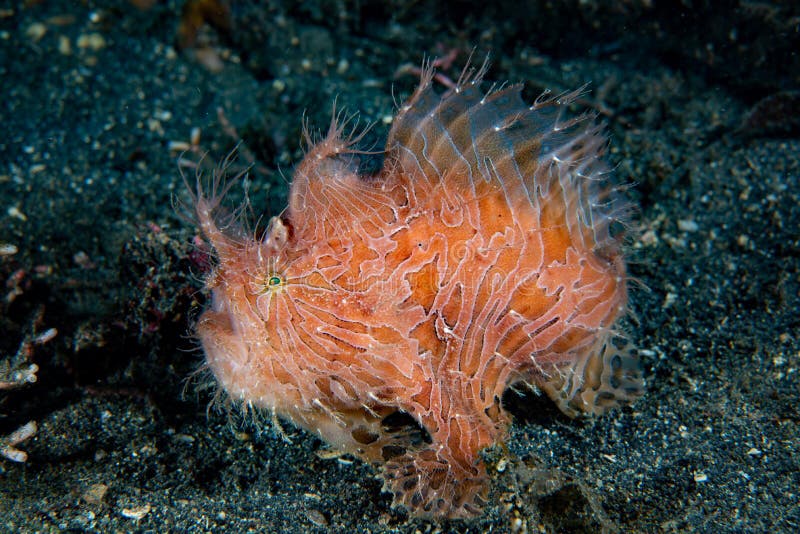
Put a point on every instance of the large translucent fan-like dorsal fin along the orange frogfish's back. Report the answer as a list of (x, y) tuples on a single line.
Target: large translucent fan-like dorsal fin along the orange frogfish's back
[(478, 141)]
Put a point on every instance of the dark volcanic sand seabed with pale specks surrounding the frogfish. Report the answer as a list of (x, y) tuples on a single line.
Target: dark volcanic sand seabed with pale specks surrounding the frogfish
[(97, 102)]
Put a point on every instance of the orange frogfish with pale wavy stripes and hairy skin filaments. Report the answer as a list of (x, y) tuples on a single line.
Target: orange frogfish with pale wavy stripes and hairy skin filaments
[(388, 313)]
